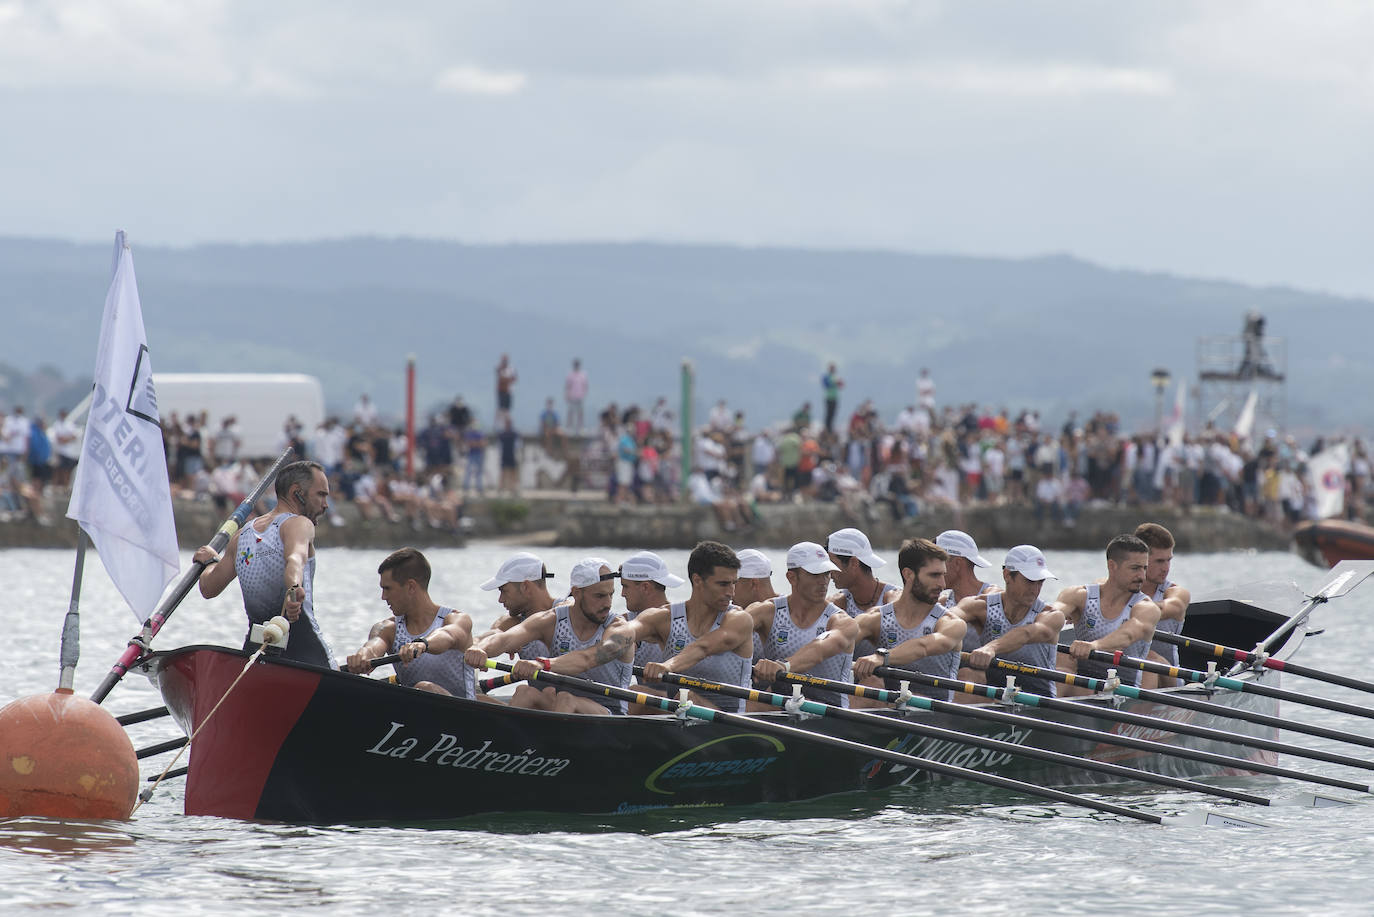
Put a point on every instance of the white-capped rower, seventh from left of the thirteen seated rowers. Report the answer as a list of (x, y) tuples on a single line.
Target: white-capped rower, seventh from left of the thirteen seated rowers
[(802, 632)]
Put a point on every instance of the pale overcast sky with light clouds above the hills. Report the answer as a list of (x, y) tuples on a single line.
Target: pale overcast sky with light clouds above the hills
[(1215, 140)]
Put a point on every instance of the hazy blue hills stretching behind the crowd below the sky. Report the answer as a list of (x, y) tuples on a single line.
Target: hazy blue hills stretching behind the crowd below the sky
[(759, 325)]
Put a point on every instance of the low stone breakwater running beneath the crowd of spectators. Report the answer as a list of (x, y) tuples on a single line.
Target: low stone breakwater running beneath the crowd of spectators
[(587, 520)]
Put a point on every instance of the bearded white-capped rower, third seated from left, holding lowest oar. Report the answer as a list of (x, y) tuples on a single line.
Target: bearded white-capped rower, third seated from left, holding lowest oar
[(586, 637)]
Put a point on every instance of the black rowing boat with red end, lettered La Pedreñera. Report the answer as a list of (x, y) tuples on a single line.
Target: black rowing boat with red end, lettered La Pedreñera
[(300, 744)]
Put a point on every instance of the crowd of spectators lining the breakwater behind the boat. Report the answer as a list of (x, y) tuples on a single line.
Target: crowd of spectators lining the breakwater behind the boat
[(925, 456)]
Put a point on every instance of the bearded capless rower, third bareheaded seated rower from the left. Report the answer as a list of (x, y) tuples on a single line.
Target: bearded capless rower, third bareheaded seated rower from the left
[(914, 632)]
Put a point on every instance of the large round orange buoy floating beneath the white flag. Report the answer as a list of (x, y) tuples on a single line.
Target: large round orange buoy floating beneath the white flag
[(65, 757)]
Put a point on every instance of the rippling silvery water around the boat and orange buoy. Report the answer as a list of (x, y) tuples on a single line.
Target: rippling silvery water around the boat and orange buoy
[(942, 850)]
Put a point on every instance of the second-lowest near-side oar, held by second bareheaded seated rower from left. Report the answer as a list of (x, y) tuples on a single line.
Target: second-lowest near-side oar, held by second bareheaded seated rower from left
[(965, 739)]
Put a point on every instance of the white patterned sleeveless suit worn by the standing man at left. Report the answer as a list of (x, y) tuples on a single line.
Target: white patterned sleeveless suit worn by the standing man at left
[(260, 562)]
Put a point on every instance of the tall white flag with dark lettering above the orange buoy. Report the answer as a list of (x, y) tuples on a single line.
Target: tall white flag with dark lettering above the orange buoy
[(122, 496)]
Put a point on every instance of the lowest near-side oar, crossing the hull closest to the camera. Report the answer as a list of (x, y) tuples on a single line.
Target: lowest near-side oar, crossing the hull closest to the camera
[(710, 716)]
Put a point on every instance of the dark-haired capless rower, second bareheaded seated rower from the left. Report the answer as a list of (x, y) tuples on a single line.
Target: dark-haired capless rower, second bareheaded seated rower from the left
[(707, 637)]
